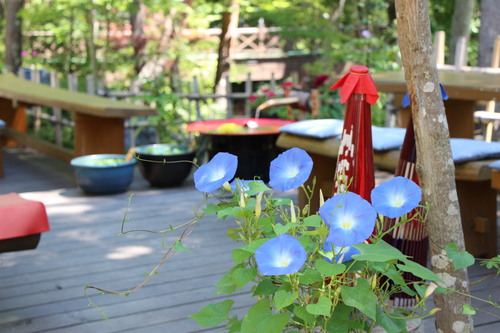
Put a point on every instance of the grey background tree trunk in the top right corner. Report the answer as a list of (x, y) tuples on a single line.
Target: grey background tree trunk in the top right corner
[(489, 29)]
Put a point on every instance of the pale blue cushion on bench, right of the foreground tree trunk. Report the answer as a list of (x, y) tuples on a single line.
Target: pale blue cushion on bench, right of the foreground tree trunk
[(465, 150)]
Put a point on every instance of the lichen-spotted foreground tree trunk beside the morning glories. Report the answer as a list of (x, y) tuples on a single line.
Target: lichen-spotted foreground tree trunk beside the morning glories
[(436, 175)]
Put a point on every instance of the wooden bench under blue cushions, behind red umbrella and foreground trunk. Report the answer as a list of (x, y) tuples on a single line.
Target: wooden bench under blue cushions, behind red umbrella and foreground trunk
[(477, 198)]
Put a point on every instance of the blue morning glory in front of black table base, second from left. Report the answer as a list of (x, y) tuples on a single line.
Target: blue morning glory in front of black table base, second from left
[(290, 169)]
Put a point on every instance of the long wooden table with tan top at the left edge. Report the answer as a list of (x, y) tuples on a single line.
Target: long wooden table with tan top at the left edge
[(99, 122)]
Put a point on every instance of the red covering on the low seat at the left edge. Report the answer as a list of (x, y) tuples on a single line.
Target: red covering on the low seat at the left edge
[(20, 217)]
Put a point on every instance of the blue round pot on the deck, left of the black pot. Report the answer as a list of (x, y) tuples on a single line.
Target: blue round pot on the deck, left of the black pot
[(95, 175)]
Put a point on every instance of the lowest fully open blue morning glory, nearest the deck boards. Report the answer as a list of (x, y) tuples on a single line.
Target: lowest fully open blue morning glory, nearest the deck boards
[(280, 255)]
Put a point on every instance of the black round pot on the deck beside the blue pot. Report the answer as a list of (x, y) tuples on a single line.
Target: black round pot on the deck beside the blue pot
[(170, 174)]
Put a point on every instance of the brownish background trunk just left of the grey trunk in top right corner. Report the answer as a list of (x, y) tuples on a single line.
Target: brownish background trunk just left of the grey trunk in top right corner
[(460, 24)]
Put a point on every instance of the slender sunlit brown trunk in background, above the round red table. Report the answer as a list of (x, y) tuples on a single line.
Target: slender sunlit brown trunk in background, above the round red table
[(229, 25)]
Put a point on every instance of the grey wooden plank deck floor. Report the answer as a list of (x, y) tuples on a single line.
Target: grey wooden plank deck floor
[(42, 290)]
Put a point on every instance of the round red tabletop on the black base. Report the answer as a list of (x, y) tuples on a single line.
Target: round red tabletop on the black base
[(265, 126)]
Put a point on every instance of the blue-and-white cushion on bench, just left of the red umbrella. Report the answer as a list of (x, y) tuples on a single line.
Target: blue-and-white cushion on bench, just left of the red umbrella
[(315, 128)]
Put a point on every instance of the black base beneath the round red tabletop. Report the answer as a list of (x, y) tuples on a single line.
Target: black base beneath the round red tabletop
[(255, 153)]
